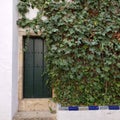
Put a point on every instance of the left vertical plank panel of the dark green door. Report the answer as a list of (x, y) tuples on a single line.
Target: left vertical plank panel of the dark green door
[(28, 70)]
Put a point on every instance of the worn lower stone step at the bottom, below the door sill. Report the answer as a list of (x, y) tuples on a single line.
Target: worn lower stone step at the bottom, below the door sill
[(35, 115)]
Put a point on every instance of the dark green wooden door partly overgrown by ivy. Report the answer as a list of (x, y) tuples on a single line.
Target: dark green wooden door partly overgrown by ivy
[(34, 85)]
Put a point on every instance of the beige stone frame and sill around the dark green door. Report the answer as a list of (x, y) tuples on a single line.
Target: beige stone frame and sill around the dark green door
[(29, 104)]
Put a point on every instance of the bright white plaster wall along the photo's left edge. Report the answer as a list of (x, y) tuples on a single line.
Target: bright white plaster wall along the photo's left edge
[(6, 67)]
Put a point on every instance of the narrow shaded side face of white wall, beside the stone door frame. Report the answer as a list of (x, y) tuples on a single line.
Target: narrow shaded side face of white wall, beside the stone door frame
[(15, 60)]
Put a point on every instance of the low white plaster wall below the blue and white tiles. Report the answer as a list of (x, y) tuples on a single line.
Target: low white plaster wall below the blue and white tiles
[(89, 115)]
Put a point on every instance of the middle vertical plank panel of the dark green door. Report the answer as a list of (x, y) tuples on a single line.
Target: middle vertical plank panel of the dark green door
[(38, 69)]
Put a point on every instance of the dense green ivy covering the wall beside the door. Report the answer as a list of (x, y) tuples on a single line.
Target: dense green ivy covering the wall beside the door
[(83, 49)]
